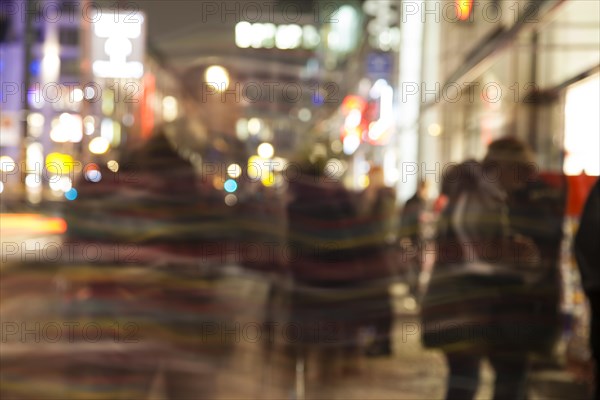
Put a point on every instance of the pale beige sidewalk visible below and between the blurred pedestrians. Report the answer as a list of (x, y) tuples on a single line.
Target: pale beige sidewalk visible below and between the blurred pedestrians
[(411, 373)]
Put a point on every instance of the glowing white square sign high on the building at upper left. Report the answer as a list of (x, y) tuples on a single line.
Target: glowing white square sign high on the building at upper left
[(118, 45)]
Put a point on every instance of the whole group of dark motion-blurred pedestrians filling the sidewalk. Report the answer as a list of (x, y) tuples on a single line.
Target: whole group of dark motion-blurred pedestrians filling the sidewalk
[(494, 291)]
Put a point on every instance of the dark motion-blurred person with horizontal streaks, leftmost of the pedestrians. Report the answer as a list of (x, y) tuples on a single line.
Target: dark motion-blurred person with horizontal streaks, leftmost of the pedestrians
[(158, 204)]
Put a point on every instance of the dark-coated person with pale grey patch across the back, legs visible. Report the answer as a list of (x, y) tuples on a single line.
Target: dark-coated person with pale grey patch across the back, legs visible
[(478, 303)]
